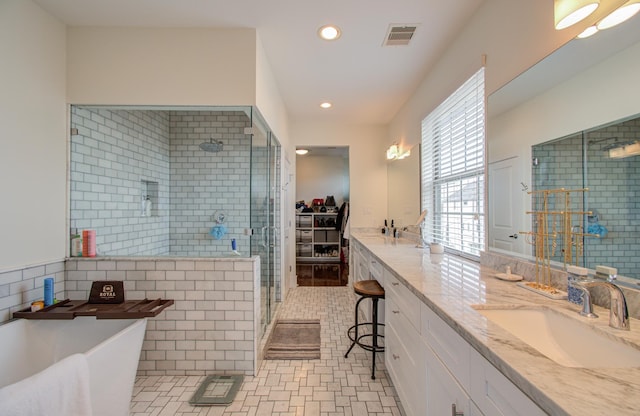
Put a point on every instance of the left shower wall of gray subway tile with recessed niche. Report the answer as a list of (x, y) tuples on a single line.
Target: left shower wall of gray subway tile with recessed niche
[(112, 154)]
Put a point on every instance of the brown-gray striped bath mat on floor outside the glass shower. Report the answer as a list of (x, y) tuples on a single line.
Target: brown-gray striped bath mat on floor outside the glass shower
[(294, 339)]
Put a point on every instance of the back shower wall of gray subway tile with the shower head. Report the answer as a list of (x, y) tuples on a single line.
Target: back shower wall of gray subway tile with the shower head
[(204, 184)]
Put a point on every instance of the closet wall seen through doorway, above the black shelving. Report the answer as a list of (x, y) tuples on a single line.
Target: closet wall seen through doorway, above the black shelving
[(320, 176)]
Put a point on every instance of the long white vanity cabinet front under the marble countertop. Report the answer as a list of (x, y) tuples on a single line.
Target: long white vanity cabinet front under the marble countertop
[(432, 367)]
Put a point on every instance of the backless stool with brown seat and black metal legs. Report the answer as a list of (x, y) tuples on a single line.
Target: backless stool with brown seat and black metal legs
[(368, 289)]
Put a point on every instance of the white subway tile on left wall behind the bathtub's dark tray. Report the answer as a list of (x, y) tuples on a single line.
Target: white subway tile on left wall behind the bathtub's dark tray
[(18, 288)]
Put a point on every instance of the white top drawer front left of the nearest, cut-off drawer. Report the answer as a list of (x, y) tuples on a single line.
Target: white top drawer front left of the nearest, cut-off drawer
[(450, 347)]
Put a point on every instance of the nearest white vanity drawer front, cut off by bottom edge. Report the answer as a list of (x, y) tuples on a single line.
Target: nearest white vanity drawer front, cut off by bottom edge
[(494, 394)]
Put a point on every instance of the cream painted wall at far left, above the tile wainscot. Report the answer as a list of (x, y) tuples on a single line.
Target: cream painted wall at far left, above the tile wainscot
[(33, 150)]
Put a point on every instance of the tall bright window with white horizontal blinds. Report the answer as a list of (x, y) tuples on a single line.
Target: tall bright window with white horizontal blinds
[(453, 169)]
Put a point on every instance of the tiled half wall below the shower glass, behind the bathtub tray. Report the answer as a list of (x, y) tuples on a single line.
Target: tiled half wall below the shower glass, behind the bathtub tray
[(214, 325)]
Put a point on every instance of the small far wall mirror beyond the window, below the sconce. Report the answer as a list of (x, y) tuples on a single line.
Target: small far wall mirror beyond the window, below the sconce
[(403, 189)]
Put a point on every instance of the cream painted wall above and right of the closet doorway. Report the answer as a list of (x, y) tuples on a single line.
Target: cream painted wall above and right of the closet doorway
[(367, 164)]
